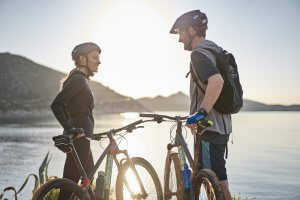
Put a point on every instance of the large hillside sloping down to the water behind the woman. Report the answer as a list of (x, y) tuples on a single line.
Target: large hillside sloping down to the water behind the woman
[(28, 86)]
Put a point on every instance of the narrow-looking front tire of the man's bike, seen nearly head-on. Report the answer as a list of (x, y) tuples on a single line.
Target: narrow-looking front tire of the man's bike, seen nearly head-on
[(173, 160)]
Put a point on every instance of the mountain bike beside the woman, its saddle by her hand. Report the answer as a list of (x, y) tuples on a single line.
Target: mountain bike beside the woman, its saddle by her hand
[(136, 178)]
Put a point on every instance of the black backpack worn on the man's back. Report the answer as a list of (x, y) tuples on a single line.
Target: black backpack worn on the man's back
[(230, 100)]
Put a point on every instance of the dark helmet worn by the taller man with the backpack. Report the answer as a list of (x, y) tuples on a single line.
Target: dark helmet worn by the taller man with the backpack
[(194, 17)]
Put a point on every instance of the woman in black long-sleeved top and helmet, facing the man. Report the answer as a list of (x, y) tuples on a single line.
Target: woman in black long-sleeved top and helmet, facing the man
[(73, 108)]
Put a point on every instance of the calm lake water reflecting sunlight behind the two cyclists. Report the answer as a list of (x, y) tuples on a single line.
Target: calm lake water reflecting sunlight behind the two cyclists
[(263, 162)]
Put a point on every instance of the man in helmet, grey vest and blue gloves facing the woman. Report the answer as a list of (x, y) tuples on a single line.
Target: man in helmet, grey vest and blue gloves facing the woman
[(191, 28)]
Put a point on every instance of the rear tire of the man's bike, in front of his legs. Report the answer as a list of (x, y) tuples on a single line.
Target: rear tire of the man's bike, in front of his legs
[(207, 181)]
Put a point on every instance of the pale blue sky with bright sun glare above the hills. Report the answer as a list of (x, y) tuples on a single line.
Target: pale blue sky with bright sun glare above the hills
[(140, 58)]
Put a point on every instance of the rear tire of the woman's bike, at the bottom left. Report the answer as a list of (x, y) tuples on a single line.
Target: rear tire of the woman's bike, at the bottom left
[(45, 190)]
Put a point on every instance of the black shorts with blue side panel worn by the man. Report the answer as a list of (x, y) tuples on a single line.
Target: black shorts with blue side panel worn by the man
[(211, 156)]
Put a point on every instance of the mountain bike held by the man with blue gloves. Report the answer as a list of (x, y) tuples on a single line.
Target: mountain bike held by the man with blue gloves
[(179, 182)]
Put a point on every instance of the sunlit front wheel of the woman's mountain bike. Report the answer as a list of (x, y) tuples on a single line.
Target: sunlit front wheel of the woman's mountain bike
[(128, 186)]
